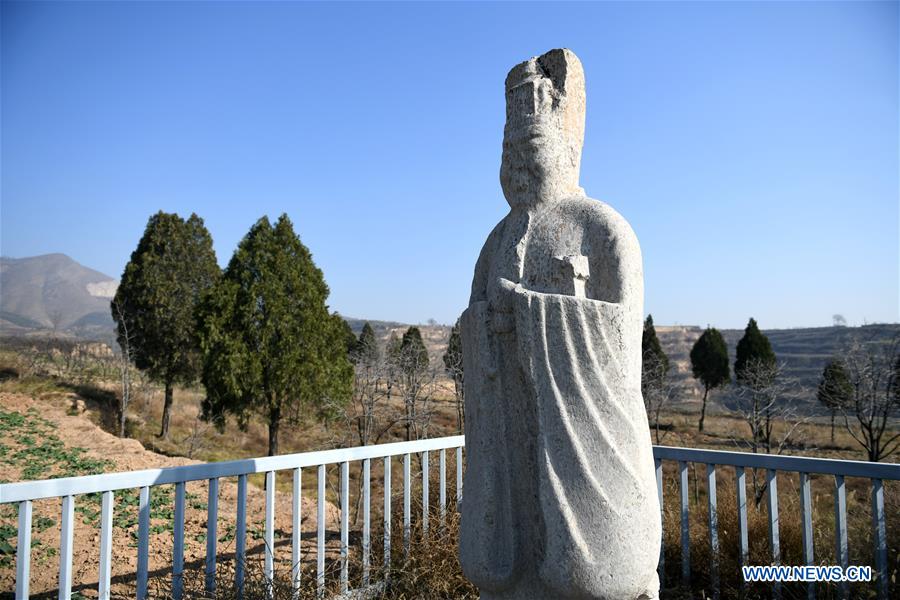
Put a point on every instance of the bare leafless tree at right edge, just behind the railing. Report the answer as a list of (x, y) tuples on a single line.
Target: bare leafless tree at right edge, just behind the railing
[(873, 370)]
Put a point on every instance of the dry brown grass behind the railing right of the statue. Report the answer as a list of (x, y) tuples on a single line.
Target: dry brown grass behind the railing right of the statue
[(790, 531)]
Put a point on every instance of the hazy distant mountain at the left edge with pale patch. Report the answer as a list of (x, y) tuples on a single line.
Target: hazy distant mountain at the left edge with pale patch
[(53, 292)]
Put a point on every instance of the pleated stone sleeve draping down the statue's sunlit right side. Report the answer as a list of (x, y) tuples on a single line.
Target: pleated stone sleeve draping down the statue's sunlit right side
[(596, 479)]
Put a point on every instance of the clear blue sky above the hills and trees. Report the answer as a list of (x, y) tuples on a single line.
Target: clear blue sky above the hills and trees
[(752, 146)]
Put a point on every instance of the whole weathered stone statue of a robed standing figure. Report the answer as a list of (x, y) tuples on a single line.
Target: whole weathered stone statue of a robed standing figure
[(560, 493)]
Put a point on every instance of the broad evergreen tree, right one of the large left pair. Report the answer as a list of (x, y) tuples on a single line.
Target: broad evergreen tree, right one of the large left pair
[(270, 345)]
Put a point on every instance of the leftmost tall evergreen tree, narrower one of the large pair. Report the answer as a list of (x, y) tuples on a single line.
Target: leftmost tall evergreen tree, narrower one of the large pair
[(173, 266)]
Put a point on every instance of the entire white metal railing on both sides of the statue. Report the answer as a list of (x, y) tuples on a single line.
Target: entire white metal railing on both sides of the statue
[(107, 484)]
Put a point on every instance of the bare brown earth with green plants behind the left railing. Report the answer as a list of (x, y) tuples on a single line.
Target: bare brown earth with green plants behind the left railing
[(51, 436)]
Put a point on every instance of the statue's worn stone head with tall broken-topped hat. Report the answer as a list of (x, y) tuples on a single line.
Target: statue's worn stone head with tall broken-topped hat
[(544, 130)]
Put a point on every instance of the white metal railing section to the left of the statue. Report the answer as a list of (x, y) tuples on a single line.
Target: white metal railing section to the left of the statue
[(69, 488)]
